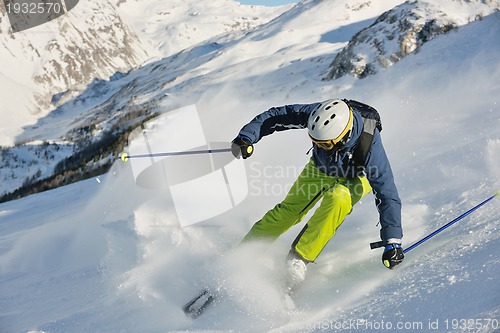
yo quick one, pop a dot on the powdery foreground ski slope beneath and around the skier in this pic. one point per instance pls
(104, 255)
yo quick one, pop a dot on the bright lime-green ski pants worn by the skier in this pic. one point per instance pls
(339, 196)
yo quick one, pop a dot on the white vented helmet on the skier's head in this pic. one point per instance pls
(330, 121)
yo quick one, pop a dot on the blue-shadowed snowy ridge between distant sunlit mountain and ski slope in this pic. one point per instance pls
(96, 121)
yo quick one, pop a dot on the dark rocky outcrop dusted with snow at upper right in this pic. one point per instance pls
(402, 31)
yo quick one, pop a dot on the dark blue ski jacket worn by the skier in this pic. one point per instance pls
(339, 164)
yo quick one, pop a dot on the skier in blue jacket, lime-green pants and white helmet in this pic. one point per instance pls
(348, 161)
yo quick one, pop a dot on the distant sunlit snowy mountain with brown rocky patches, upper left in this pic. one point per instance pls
(95, 40)
